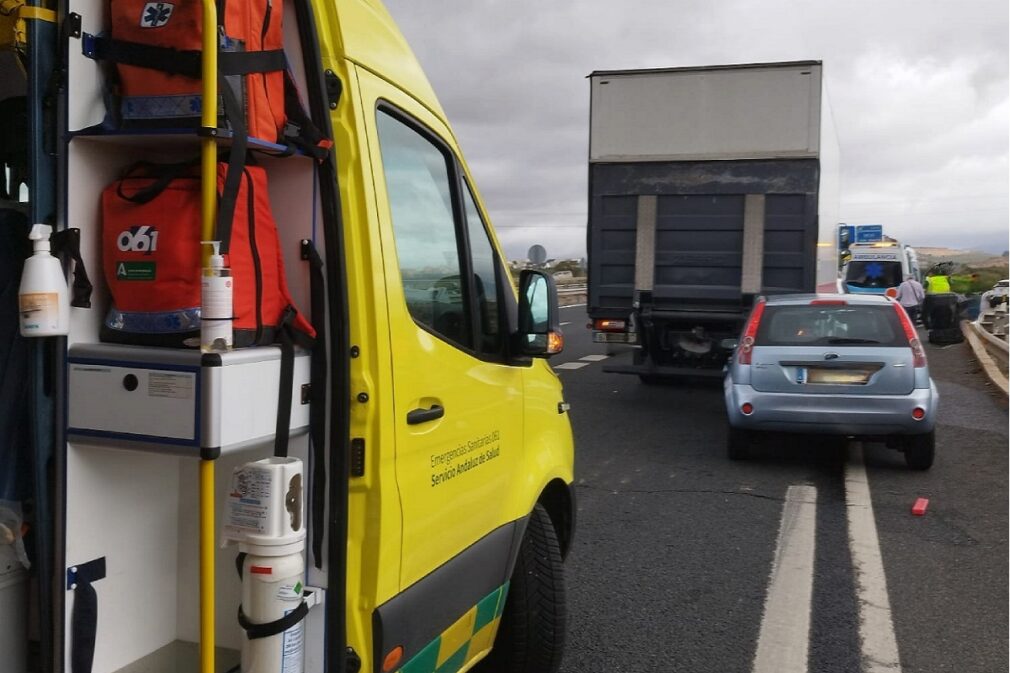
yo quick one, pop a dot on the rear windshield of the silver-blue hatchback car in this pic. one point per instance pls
(829, 325)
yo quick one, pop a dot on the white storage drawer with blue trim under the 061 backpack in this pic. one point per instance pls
(179, 402)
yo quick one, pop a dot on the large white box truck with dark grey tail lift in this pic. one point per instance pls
(708, 187)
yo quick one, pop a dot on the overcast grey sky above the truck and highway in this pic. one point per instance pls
(920, 90)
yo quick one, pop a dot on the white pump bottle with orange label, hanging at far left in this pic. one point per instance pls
(44, 299)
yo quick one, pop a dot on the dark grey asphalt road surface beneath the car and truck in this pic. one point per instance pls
(676, 545)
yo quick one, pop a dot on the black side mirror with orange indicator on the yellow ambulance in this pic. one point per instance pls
(540, 335)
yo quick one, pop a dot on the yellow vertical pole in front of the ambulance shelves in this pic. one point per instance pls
(209, 176)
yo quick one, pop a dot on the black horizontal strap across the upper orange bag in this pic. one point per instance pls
(186, 63)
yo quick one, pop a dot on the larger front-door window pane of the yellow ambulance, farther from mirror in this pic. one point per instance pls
(421, 201)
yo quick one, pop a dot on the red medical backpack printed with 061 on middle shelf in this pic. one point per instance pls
(152, 258)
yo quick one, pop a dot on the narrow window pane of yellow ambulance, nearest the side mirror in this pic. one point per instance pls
(485, 278)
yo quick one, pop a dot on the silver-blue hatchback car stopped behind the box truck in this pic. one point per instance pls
(847, 365)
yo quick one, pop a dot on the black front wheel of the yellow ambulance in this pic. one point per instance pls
(532, 635)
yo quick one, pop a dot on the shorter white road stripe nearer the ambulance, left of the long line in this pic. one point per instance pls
(785, 627)
